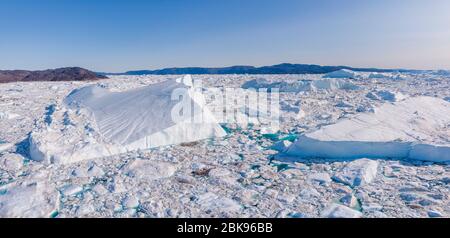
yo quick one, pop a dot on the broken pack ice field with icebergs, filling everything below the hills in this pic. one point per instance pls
(348, 144)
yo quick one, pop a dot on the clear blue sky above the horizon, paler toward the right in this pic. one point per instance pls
(115, 36)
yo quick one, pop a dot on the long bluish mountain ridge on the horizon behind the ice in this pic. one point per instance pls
(274, 69)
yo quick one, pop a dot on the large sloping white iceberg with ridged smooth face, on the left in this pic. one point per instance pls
(138, 119)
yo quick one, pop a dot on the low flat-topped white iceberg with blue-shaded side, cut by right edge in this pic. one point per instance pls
(415, 128)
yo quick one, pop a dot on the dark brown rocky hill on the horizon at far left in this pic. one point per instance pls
(61, 74)
